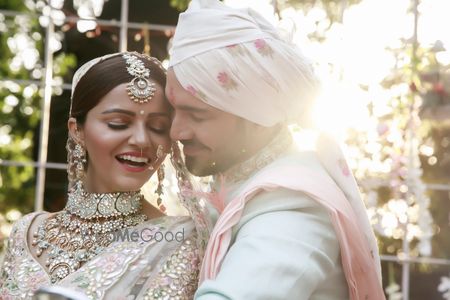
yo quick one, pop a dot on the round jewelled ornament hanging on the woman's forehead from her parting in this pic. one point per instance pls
(140, 89)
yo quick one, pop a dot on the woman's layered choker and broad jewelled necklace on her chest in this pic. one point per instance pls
(84, 228)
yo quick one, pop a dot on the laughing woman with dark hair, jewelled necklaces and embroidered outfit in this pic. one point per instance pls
(108, 242)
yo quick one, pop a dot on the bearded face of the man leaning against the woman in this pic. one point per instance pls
(213, 140)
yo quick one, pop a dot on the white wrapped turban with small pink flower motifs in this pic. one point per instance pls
(236, 61)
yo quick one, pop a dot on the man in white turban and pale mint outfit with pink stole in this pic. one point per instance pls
(291, 224)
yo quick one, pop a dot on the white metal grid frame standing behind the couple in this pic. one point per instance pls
(124, 25)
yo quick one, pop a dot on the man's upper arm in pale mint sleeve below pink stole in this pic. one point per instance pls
(281, 254)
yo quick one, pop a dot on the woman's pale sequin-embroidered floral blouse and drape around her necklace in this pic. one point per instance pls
(160, 262)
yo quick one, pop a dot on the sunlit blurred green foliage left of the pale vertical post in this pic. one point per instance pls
(19, 107)
